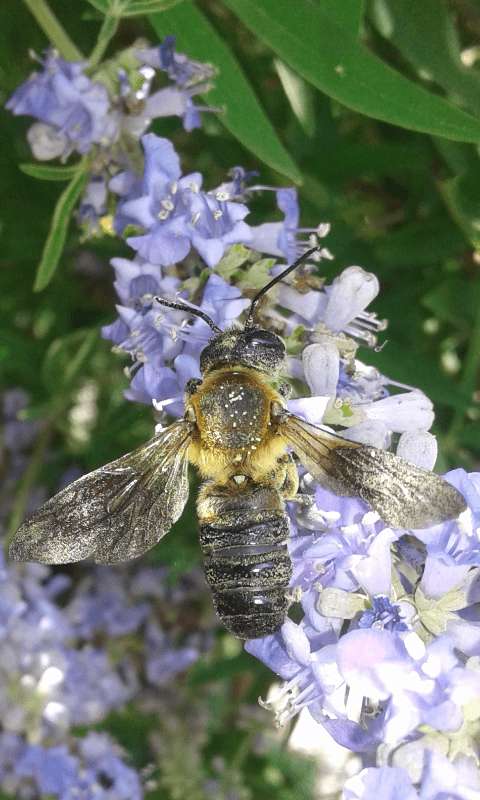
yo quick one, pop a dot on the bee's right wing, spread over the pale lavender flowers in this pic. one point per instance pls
(404, 495)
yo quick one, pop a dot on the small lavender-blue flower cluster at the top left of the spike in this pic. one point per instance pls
(75, 113)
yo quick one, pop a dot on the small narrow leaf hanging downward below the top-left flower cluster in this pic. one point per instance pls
(58, 230)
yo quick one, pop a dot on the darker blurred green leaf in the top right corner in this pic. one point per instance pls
(424, 33)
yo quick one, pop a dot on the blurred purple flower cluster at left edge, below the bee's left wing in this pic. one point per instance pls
(63, 683)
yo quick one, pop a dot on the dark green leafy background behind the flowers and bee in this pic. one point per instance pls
(371, 111)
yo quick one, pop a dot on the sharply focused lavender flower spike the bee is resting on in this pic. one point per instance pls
(374, 599)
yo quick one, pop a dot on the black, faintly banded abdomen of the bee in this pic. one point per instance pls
(248, 568)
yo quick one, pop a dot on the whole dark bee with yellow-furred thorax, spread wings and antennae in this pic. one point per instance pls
(235, 430)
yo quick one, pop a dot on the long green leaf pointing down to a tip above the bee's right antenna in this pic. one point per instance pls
(244, 117)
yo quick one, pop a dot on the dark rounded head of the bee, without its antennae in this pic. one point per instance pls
(254, 348)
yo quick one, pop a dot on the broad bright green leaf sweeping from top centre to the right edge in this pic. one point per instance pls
(333, 60)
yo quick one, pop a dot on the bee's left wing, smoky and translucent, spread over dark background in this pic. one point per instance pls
(116, 512)
